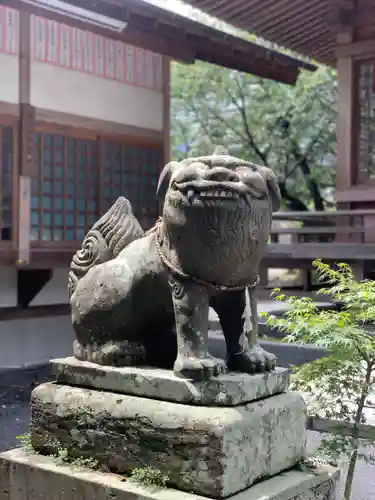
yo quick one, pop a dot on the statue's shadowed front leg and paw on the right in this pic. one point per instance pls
(244, 354)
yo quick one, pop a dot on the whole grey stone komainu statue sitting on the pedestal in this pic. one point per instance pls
(144, 298)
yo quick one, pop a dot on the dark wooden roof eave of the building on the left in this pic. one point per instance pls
(173, 35)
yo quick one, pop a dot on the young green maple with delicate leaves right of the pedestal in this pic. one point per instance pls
(338, 385)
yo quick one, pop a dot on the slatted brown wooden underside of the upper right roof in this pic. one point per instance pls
(309, 28)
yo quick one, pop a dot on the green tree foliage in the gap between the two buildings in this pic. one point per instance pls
(212, 105)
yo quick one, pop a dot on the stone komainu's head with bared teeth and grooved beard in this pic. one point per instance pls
(219, 207)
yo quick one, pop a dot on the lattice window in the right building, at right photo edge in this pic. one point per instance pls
(366, 106)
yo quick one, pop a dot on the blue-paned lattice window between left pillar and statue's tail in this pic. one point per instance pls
(64, 202)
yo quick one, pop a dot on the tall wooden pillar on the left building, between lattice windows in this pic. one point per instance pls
(25, 141)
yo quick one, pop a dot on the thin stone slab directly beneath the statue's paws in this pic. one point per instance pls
(226, 390)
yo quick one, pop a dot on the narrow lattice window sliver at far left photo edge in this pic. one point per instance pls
(6, 182)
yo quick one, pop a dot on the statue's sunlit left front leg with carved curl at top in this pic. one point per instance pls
(190, 302)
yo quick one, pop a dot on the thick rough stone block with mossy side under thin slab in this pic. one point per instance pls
(206, 450)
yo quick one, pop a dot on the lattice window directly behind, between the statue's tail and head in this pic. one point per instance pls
(132, 171)
